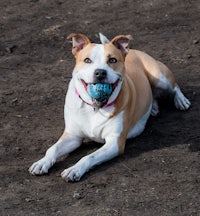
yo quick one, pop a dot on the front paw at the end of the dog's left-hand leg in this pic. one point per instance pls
(41, 167)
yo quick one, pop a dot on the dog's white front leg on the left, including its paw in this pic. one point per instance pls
(66, 144)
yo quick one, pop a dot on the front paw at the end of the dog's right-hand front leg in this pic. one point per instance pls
(72, 174)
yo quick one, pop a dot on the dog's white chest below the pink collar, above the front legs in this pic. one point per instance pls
(82, 120)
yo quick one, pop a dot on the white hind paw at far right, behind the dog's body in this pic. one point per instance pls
(180, 101)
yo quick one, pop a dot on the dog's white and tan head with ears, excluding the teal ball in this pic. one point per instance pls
(100, 64)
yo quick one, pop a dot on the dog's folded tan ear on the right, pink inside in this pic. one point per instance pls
(122, 42)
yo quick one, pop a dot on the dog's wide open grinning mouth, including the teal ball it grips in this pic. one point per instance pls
(100, 92)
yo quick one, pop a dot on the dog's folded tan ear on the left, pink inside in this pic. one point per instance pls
(79, 41)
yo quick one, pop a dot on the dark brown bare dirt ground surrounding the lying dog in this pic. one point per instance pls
(159, 174)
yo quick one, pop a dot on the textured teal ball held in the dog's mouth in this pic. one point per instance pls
(99, 91)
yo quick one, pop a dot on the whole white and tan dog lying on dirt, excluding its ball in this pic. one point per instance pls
(134, 75)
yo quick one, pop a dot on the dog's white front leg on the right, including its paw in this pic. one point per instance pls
(108, 151)
